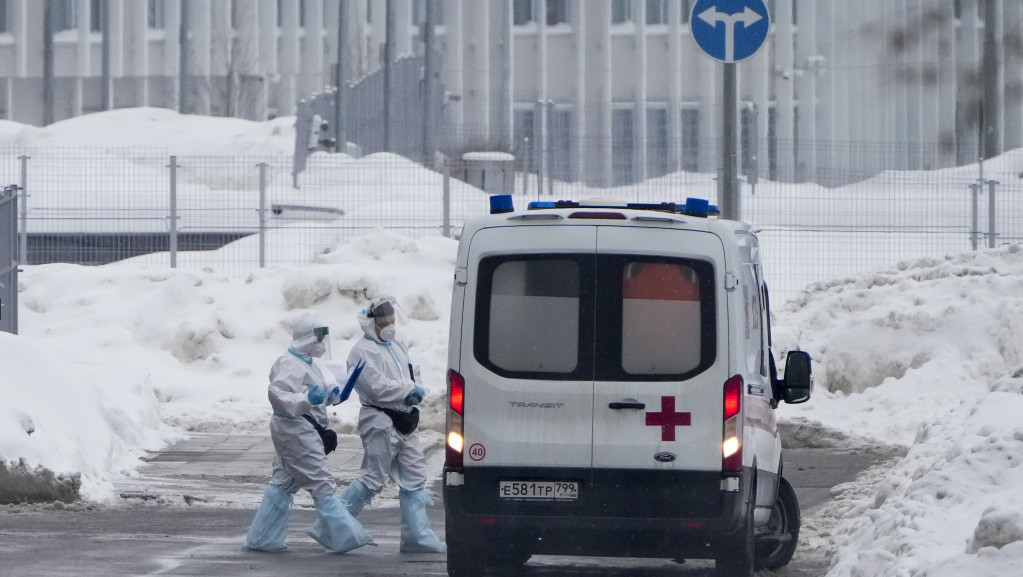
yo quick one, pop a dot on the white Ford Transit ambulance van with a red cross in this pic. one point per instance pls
(612, 390)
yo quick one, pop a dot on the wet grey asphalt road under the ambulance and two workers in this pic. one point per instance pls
(188, 513)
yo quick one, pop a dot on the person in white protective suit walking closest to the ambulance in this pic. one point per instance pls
(389, 393)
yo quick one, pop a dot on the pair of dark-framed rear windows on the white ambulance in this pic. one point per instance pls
(602, 318)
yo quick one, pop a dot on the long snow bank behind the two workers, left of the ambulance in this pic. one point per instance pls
(113, 361)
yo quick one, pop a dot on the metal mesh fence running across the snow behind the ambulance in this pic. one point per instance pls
(96, 206)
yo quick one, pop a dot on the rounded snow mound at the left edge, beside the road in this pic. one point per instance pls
(58, 416)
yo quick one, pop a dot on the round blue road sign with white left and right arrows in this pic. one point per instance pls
(730, 31)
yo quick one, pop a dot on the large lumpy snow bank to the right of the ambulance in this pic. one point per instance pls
(928, 356)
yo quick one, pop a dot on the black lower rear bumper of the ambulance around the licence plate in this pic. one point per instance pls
(618, 514)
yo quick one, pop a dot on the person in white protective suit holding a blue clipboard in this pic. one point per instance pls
(302, 385)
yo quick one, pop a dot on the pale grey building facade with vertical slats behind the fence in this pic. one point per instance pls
(606, 92)
